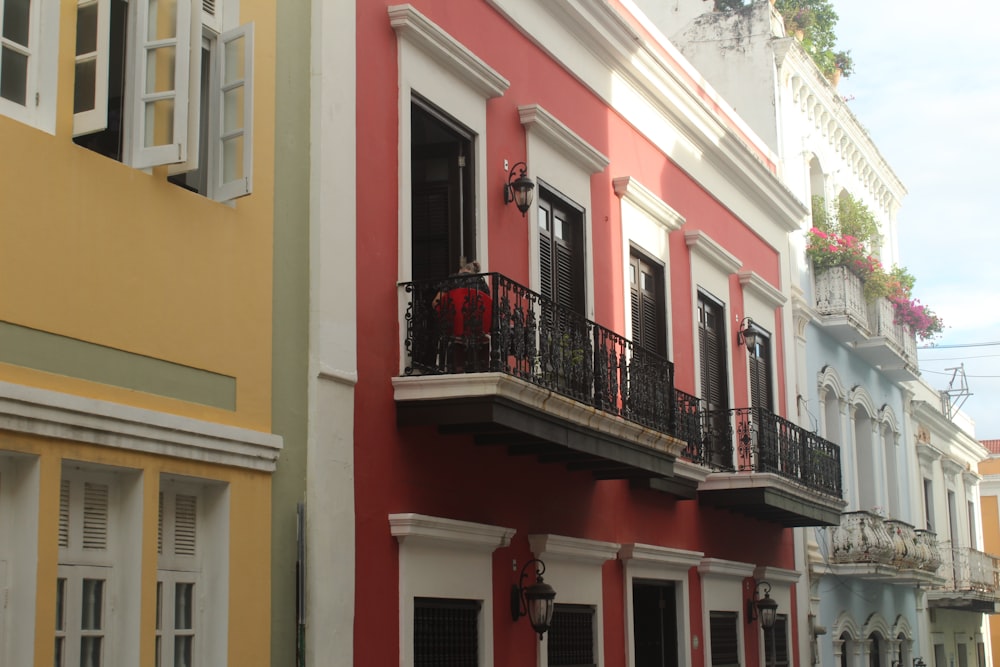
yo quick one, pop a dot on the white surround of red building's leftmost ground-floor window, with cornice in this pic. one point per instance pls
(445, 558)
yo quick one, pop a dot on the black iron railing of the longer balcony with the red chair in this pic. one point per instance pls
(489, 323)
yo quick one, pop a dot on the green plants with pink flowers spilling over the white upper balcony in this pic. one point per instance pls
(848, 239)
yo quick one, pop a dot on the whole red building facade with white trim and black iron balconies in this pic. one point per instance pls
(615, 402)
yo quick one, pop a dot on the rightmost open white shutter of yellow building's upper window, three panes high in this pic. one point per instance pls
(234, 103)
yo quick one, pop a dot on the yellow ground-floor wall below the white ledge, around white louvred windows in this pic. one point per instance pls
(249, 547)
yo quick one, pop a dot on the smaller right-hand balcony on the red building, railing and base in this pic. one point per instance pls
(770, 468)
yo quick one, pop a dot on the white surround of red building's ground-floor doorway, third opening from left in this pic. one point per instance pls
(654, 563)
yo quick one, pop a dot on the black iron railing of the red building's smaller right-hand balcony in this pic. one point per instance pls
(767, 443)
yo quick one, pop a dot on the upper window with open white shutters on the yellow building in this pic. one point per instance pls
(156, 84)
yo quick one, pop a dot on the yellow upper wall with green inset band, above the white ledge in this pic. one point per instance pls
(98, 251)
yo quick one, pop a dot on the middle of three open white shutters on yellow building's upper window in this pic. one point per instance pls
(161, 61)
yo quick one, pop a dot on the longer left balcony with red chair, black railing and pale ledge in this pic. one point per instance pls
(513, 369)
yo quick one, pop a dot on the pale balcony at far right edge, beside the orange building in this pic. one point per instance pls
(971, 581)
